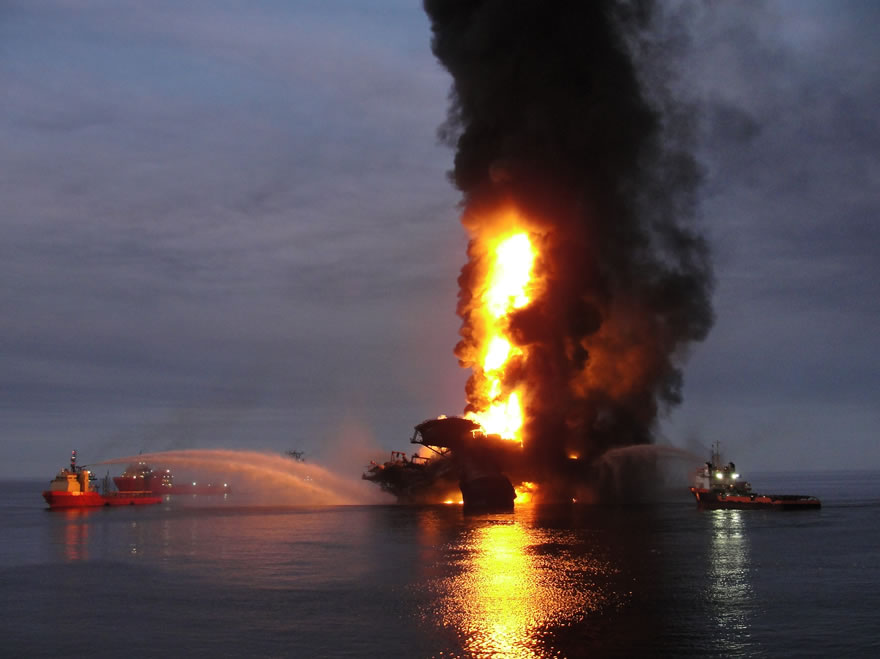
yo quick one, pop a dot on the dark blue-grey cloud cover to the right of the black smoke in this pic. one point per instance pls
(791, 145)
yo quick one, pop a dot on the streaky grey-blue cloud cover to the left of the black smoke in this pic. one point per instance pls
(210, 207)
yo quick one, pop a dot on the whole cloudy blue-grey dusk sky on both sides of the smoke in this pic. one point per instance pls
(229, 225)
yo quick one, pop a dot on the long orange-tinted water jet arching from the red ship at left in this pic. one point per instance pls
(267, 477)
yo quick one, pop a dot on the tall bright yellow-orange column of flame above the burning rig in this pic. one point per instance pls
(508, 285)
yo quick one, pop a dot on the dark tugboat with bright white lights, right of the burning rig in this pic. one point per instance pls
(717, 486)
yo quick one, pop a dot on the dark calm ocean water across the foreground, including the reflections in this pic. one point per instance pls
(213, 577)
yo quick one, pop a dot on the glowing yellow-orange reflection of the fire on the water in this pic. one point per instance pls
(514, 582)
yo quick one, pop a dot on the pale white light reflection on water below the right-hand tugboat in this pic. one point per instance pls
(730, 586)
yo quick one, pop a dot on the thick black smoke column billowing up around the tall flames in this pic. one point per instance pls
(550, 114)
